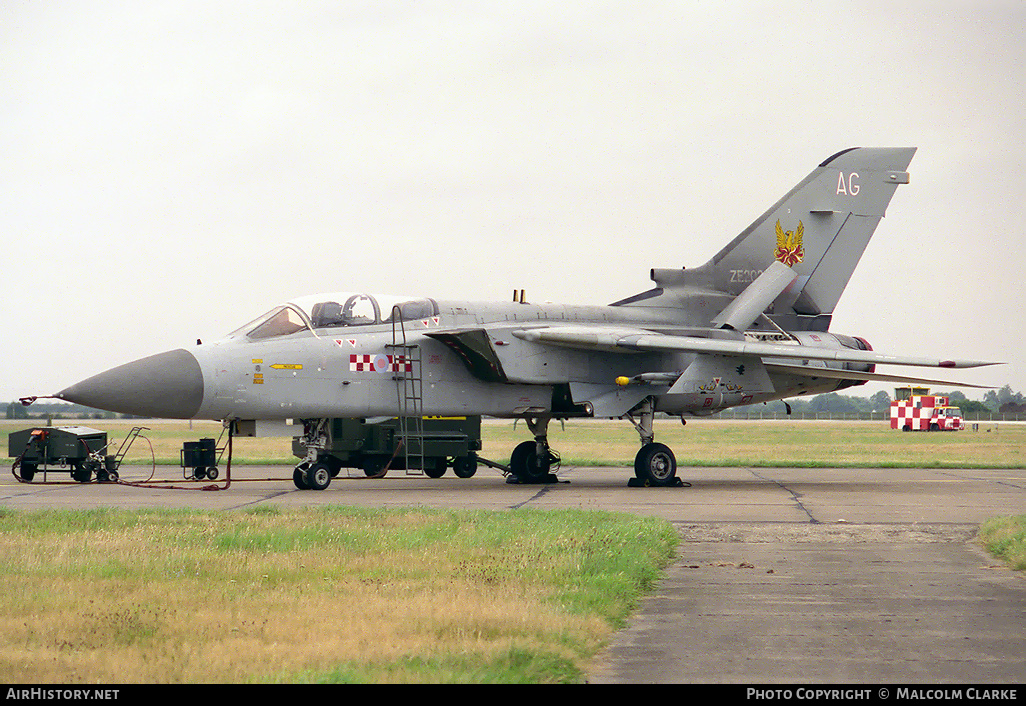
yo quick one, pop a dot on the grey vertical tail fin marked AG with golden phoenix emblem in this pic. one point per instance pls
(820, 229)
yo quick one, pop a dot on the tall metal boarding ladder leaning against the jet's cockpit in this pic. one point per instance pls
(409, 377)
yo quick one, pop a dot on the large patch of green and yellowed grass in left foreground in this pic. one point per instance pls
(319, 595)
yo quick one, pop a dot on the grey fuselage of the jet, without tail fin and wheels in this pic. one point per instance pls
(470, 359)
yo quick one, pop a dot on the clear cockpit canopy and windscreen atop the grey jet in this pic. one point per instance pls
(335, 311)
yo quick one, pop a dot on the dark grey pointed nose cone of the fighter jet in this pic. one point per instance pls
(168, 385)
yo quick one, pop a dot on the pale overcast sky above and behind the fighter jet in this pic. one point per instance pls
(169, 171)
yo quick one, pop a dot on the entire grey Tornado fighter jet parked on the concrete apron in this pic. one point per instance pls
(748, 327)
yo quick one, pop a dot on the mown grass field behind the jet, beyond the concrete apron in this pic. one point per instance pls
(701, 443)
